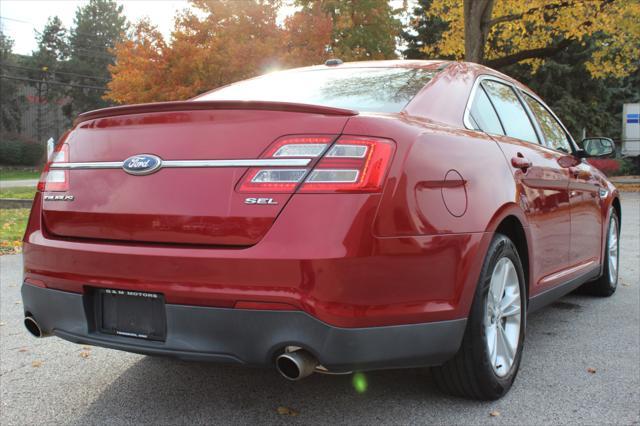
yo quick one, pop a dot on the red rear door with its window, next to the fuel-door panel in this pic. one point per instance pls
(542, 181)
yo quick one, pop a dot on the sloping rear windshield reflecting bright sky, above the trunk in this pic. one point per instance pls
(360, 89)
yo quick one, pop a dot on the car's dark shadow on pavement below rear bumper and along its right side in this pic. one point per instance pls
(167, 391)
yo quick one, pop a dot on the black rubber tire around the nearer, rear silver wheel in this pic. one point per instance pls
(470, 373)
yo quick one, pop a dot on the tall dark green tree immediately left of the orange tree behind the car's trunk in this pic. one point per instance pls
(98, 27)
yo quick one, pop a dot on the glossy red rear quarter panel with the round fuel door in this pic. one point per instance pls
(443, 180)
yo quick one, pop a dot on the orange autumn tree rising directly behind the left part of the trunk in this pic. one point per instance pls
(213, 44)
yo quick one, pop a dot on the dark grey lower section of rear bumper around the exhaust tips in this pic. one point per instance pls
(253, 337)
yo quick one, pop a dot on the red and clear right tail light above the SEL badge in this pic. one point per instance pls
(352, 164)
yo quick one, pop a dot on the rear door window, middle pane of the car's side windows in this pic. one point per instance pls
(512, 114)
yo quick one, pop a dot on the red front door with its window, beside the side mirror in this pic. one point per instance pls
(584, 189)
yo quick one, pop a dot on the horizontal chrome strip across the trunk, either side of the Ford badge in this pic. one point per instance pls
(299, 162)
